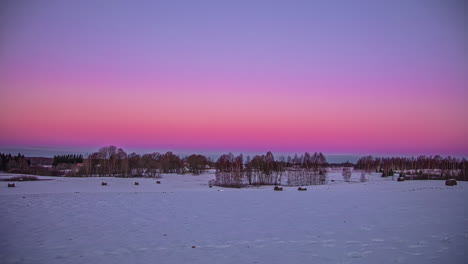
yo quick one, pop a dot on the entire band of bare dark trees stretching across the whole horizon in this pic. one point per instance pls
(231, 170)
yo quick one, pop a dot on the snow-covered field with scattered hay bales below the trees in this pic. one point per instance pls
(76, 220)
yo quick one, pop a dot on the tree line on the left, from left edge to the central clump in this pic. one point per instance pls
(109, 161)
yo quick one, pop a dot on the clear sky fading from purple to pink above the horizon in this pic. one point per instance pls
(341, 77)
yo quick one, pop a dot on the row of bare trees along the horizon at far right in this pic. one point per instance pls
(444, 167)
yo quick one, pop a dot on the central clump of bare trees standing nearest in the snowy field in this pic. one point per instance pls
(232, 171)
